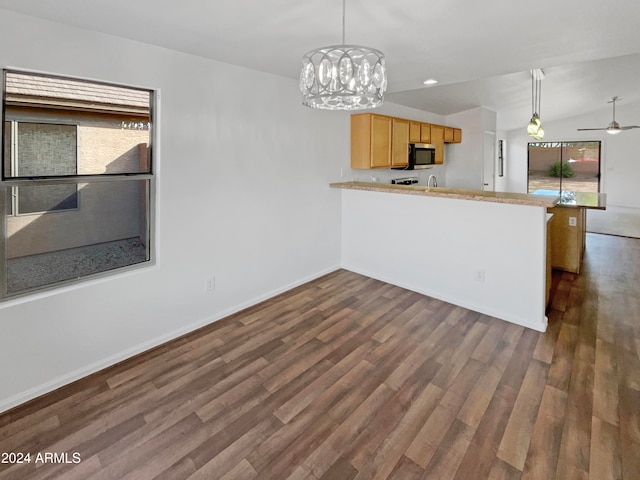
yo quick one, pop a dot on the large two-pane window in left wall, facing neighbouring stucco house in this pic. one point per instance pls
(77, 190)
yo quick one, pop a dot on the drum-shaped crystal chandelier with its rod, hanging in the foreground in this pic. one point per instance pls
(343, 77)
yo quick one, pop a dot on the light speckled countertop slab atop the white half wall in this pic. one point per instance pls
(477, 195)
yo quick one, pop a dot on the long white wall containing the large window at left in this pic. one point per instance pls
(242, 194)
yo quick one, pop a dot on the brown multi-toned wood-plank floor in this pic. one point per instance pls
(350, 378)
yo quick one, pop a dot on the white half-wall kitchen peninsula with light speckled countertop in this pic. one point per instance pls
(485, 251)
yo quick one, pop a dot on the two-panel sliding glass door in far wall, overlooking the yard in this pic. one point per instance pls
(564, 166)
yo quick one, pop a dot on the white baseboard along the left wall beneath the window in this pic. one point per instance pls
(55, 383)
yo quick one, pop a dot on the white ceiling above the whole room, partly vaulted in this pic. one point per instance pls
(481, 52)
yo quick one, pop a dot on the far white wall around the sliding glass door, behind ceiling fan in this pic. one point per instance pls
(620, 162)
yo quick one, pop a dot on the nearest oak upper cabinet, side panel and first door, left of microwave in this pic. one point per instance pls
(371, 140)
